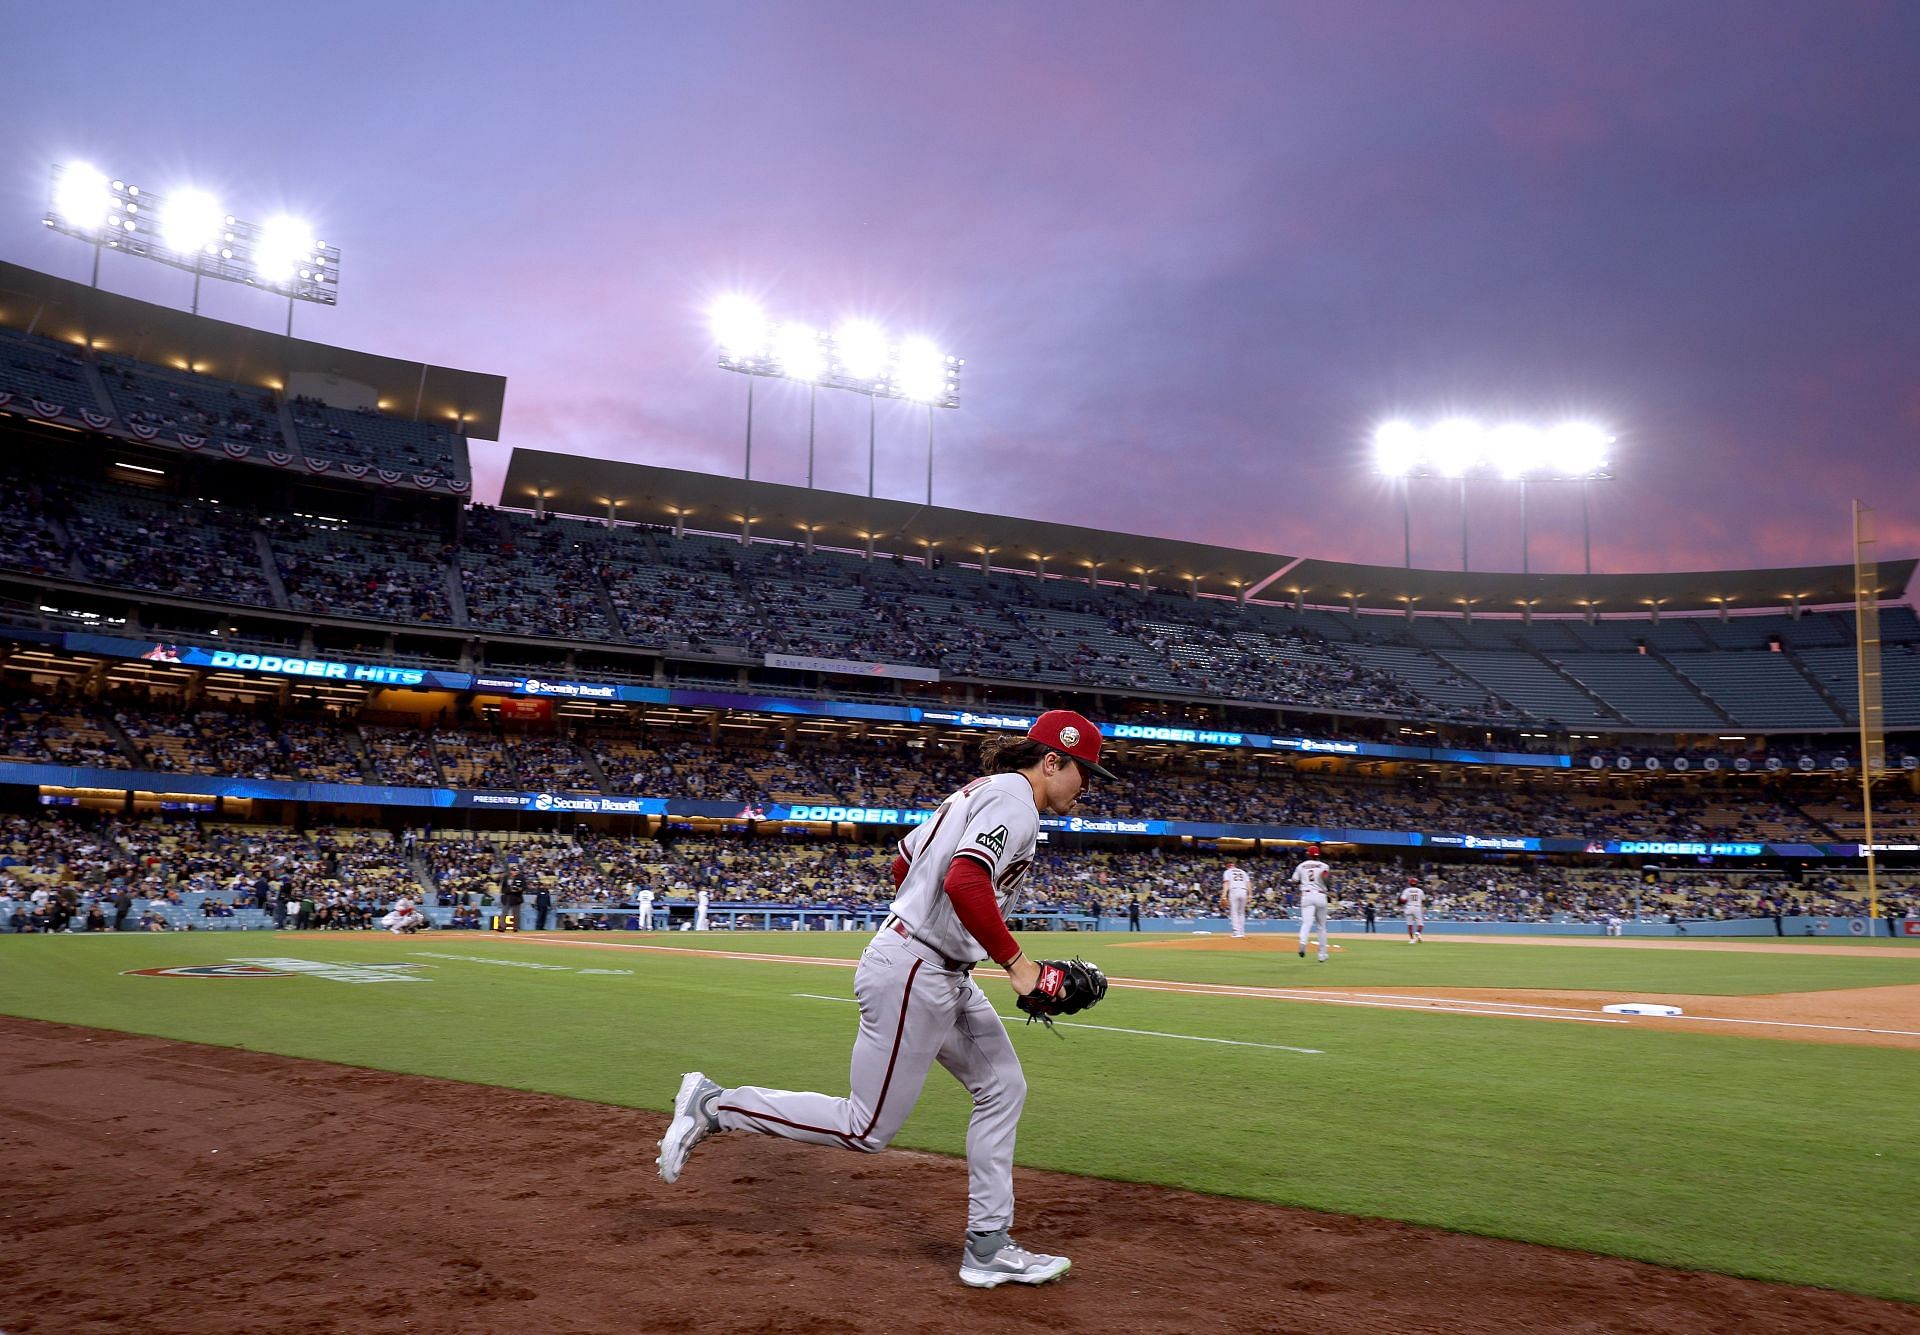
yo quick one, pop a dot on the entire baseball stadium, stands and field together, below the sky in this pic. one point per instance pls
(640, 746)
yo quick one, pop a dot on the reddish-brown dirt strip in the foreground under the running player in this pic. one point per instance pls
(155, 1186)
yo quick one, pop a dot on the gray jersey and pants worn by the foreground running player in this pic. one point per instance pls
(921, 1006)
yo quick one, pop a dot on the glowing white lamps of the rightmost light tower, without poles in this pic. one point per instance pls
(1462, 449)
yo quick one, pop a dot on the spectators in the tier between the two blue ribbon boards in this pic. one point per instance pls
(759, 769)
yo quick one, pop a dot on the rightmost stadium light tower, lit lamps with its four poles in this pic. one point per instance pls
(1514, 452)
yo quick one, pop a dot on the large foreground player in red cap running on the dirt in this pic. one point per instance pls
(957, 879)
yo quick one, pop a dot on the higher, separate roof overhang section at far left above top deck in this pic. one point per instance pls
(128, 328)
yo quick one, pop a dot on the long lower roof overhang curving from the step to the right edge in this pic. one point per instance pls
(642, 493)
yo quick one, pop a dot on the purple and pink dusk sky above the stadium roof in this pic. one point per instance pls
(1191, 253)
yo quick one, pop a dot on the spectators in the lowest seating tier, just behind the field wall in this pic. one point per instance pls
(99, 873)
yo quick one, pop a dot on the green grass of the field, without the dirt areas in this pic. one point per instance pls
(1760, 1157)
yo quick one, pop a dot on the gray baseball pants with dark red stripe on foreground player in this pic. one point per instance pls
(915, 1011)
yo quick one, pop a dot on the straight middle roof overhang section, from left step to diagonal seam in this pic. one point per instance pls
(715, 504)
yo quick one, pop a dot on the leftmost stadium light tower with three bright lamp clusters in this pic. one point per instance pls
(189, 230)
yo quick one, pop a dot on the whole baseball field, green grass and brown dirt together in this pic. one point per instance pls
(1222, 1144)
